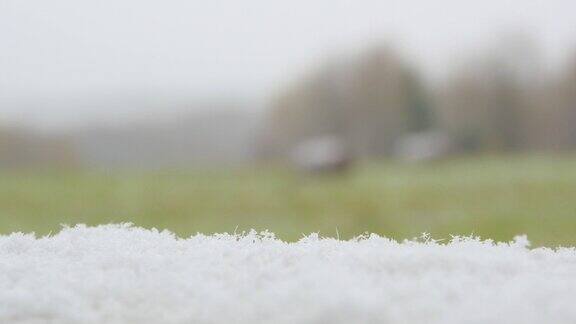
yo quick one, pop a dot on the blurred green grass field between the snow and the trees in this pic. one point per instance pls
(490, 197)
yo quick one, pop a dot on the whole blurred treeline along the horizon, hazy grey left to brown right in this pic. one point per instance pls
(502, 99)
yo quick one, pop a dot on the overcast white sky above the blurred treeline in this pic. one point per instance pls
(63, 48)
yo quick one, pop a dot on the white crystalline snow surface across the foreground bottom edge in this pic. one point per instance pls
(124, 274)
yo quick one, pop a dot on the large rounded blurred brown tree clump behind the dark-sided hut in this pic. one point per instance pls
(368, 103)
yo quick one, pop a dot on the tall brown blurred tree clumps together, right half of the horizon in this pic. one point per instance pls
(499, 100)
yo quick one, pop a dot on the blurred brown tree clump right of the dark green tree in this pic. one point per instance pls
(487, 103)
